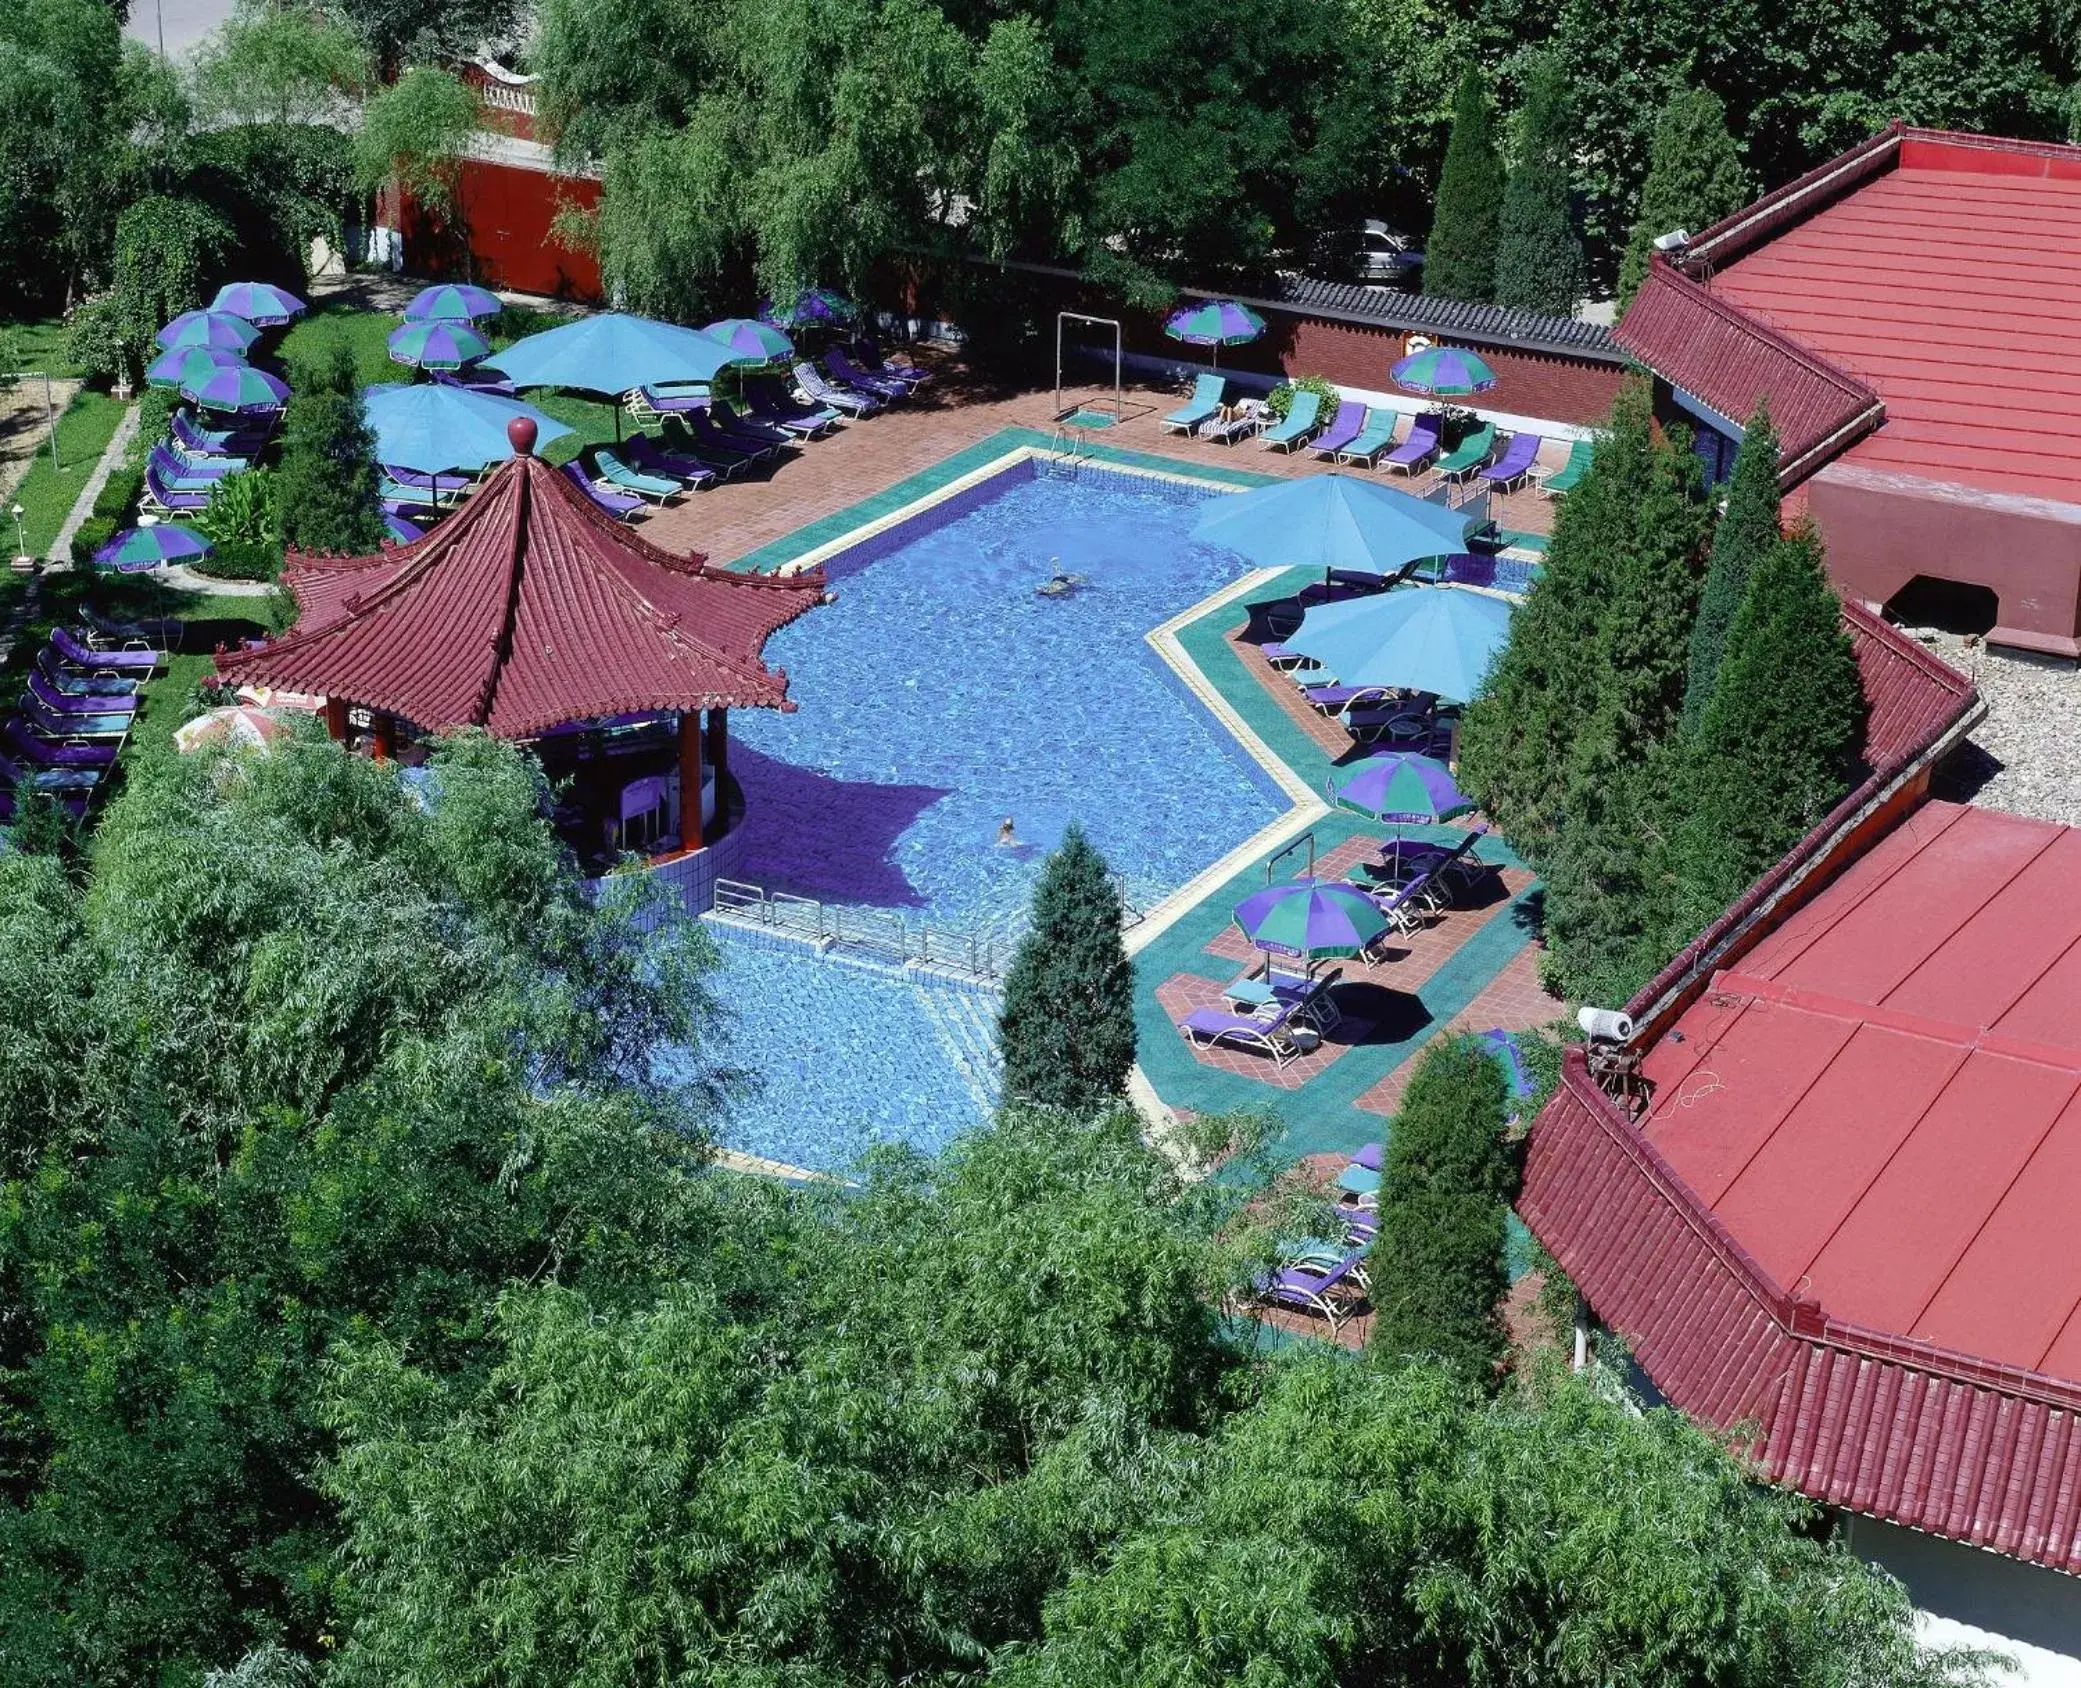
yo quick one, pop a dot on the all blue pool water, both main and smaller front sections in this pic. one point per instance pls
(940, 696)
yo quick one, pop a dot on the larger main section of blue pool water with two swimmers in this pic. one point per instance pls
(944, 694)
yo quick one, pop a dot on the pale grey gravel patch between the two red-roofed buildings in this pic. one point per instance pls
(2026, 757)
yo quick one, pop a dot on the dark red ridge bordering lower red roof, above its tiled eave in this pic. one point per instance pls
(1799, 1319)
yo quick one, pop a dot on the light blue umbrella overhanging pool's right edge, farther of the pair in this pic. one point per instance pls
(1331, 521)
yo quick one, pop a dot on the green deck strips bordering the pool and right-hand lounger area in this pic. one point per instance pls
(1320, 1115)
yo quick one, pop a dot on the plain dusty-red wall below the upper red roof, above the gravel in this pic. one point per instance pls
(1884, 530)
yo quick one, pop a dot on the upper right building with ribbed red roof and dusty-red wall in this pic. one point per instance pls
(1911, 313)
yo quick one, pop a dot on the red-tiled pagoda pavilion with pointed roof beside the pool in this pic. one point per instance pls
(538, 619)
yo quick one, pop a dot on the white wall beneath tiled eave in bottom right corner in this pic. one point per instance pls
(1988, 1600)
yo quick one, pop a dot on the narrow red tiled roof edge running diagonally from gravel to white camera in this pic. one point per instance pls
(1728, 938)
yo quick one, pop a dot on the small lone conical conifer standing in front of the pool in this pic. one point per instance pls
(1069, 1017)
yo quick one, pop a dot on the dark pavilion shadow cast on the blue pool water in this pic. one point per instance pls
(823, 838)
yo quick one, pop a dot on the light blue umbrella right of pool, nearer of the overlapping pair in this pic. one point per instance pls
(1437, 640)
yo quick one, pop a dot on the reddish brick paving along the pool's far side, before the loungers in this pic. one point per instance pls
(958, 411)
